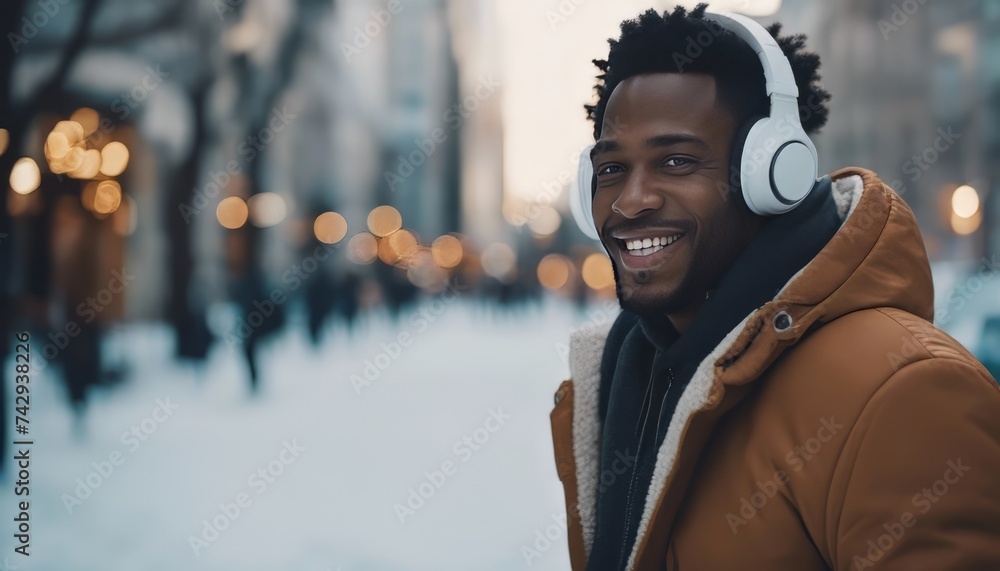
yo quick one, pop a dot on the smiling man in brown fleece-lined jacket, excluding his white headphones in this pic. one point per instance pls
(773, 394)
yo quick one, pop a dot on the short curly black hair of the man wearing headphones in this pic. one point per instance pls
(682, 41)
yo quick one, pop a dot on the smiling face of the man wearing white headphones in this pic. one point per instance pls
(663, 205)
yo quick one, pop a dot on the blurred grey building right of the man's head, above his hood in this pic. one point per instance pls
(915, 97)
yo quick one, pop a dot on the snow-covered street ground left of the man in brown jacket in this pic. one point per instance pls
(311, 475)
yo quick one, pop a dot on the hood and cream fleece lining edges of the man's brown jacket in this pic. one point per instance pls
(875, 259)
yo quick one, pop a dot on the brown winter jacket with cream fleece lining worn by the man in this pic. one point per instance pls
(858, 437)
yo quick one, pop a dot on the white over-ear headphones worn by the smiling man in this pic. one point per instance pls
(778, 164)
